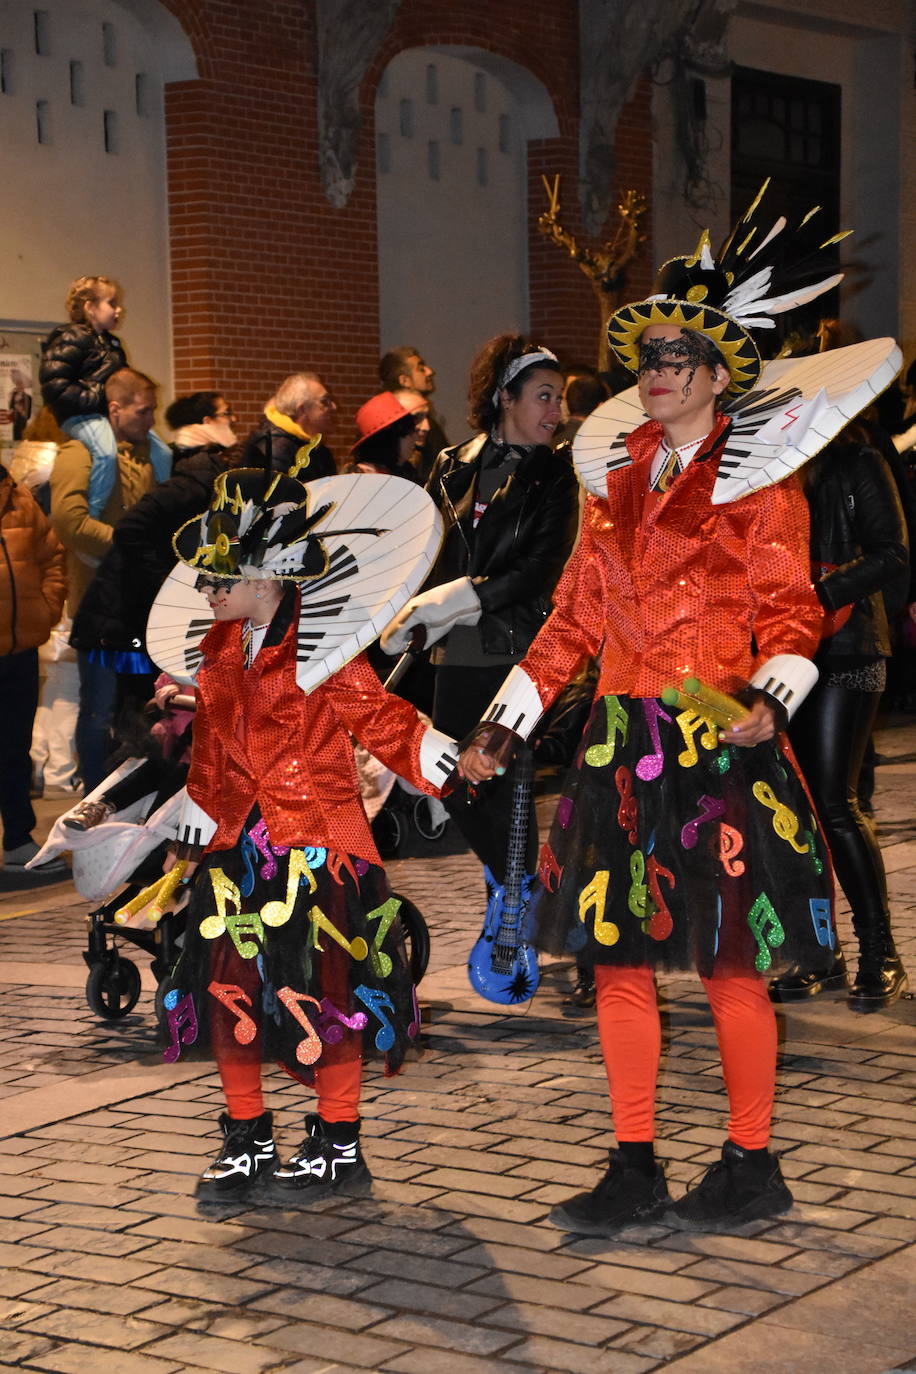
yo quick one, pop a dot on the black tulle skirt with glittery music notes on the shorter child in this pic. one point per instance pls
(290, 957)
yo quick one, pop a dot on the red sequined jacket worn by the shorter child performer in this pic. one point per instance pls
(257, 737)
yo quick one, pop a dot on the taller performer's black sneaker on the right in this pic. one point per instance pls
(733, 1192)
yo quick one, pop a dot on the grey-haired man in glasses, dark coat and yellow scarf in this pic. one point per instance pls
(300, 410)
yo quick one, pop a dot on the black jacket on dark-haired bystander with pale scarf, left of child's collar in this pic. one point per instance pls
(116, 605)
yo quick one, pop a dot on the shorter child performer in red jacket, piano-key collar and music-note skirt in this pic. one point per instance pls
(293, 949)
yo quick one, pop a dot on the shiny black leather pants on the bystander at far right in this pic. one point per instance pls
(829, 736)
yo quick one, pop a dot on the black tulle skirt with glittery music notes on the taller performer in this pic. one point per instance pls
(679, 853)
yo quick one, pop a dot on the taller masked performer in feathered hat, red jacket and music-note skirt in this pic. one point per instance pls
(682, 842)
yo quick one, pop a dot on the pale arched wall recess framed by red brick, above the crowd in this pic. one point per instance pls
(453, 192)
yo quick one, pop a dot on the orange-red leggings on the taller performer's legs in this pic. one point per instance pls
(631, 1035)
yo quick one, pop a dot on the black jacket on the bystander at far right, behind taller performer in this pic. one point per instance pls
(859, 545)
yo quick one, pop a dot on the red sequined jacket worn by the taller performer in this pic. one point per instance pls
(674, 586)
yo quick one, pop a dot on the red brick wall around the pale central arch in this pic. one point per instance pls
(267, 277)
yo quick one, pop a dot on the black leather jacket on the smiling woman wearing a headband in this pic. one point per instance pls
(520, 548)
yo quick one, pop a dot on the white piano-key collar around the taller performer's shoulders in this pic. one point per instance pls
(799, 406)
